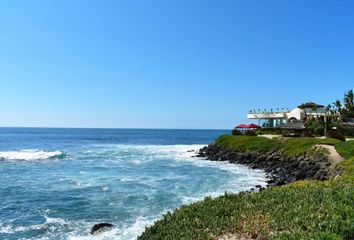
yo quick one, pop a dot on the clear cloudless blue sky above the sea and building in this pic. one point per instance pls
(169, 64)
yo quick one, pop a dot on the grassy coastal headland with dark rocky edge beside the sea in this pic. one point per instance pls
(310, 194)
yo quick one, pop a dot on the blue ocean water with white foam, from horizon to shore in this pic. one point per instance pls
(57, 183)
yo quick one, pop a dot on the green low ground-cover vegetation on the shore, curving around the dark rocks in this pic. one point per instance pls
(301, 210)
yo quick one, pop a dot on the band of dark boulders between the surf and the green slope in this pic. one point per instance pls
(279, 169)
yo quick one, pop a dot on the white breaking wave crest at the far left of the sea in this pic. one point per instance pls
(30, 154)
